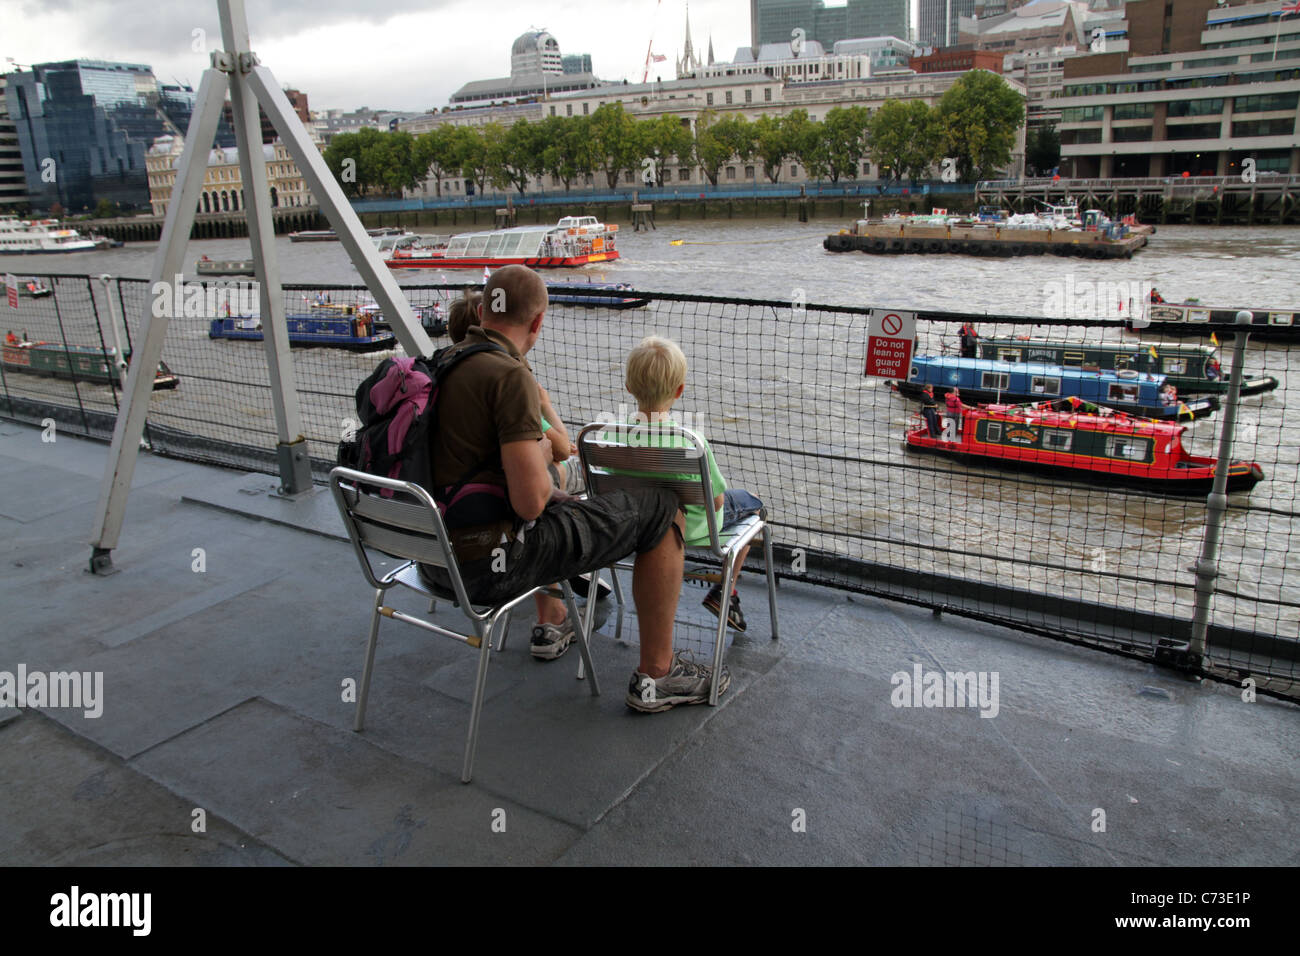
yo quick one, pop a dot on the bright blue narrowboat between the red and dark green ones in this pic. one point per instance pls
(989, 380)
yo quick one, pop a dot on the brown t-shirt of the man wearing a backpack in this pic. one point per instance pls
(489, 400)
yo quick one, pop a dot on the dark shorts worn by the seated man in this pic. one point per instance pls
(567, 540)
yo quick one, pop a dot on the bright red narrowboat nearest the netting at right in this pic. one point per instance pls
(1108, 448)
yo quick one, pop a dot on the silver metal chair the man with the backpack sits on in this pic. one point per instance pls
(410, 527)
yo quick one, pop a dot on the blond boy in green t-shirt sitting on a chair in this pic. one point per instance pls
(657, 378)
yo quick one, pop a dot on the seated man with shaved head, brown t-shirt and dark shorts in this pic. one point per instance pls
(513, 531)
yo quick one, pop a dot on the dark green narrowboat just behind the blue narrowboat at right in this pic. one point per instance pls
(1190, 369)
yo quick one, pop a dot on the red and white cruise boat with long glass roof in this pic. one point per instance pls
(574, 241)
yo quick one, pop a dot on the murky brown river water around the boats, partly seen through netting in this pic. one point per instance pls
(783, 397)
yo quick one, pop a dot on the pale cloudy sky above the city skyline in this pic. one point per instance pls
(349, 54)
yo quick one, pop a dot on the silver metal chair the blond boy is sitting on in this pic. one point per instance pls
(618, 456)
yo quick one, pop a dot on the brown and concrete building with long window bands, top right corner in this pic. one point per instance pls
(1202, 88)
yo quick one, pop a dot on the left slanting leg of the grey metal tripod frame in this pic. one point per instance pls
(168, 263)
